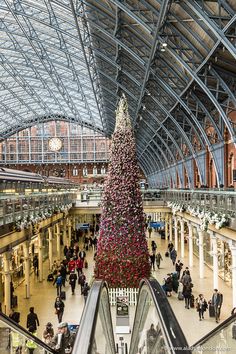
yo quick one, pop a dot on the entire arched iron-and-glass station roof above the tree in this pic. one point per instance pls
(175, 60)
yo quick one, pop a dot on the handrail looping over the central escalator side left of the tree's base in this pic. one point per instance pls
(84, 338)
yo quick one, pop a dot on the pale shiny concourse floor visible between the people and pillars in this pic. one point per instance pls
(43, 295)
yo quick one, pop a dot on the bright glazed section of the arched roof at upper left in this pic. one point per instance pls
(44, 67)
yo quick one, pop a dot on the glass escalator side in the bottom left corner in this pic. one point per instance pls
(16, 339)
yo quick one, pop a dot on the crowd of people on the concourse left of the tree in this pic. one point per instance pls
(69, 271)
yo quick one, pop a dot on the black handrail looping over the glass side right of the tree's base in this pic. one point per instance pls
(174, 334)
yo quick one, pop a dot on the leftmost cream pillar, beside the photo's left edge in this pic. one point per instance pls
(7, 282)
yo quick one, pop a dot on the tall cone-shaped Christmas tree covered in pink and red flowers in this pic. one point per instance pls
(122, 255)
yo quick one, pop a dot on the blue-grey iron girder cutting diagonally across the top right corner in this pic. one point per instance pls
(211, 25)
